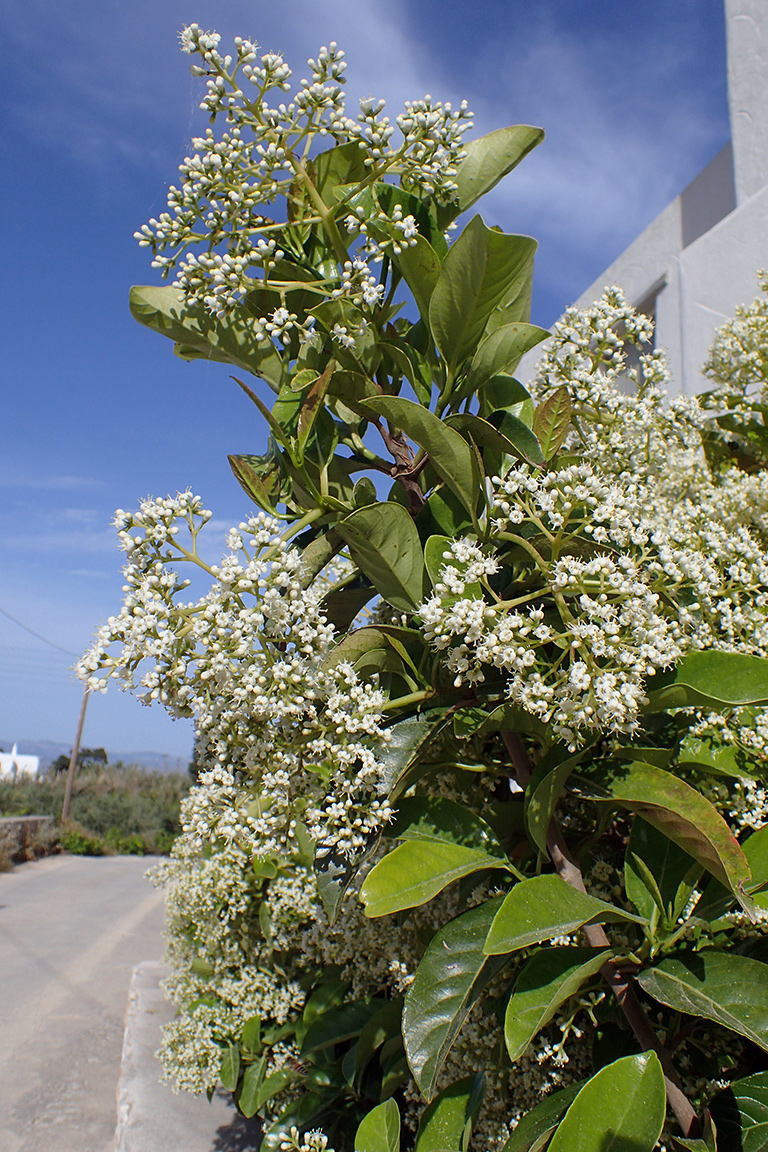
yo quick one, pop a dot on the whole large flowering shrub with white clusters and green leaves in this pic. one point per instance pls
(478, 852)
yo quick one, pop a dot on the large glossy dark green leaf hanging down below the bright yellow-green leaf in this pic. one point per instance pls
(452, 975)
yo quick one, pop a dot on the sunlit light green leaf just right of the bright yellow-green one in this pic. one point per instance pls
(542, 908)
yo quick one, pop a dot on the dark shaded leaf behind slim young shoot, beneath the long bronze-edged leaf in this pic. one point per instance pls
(659, 875)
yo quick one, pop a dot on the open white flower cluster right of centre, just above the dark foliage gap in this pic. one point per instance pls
(602, 615)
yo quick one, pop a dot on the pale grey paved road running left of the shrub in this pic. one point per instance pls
(72, 929)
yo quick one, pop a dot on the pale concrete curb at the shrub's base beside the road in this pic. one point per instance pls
(150, 1117)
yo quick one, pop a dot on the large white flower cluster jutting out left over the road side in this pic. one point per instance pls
(287, 736)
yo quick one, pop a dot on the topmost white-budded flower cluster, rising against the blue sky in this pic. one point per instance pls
(267, 154)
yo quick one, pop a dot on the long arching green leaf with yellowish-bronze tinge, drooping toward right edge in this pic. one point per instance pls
(683, 815)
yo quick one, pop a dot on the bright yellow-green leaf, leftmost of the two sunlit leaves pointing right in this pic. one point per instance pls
(419, 870)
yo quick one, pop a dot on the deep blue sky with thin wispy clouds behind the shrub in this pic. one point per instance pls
(100, 109)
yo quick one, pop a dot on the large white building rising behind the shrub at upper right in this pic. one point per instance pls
(698, 260)
